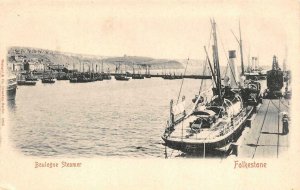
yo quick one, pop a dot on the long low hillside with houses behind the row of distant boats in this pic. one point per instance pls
(17, 54)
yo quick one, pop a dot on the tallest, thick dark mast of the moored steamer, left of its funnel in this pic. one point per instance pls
(216, 61)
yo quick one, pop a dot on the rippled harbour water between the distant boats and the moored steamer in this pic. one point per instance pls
(104, 118)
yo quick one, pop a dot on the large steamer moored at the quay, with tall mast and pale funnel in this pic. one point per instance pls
(215, 123)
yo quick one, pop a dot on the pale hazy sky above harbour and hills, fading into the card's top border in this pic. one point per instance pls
(173, 29)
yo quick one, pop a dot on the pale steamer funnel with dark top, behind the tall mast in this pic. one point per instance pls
(232, 70)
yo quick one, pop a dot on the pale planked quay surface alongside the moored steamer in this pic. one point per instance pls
(264, 137)
